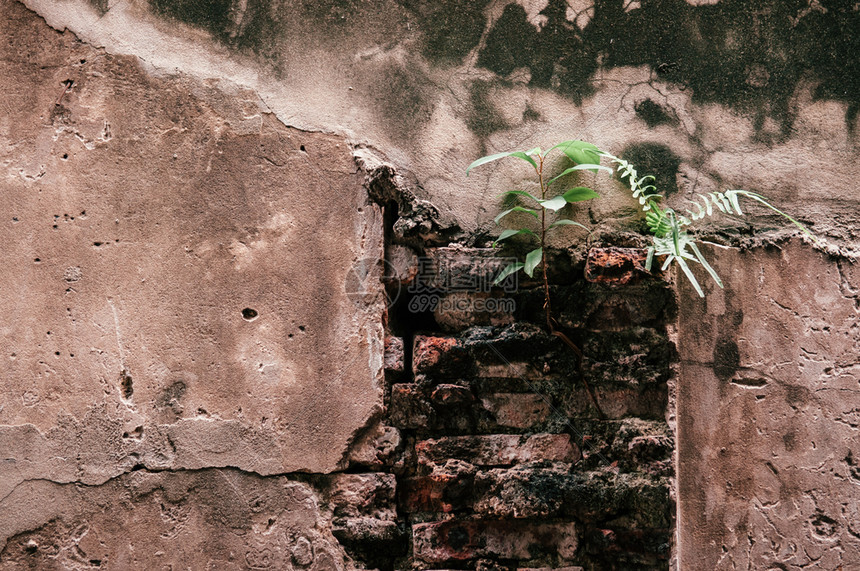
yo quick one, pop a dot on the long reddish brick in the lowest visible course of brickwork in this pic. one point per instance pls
(462, 540)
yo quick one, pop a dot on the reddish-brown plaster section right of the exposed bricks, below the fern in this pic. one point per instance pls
(768, 414)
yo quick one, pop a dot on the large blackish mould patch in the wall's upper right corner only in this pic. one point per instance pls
(746, 54)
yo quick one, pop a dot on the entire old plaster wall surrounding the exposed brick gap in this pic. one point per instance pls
(192, 253)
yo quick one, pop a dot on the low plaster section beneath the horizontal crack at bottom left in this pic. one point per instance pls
(207, 519)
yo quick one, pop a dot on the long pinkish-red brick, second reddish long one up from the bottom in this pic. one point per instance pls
(499, 449)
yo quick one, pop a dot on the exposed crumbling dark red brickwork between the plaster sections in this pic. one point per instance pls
(492, 451)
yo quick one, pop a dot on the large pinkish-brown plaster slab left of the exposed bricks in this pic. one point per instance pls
(177, 279)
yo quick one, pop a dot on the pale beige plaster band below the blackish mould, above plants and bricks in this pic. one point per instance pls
(359, 70)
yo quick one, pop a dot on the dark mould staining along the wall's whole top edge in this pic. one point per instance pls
(748, 54)
